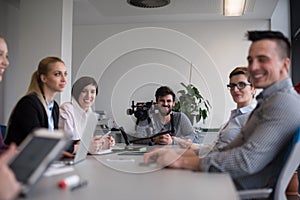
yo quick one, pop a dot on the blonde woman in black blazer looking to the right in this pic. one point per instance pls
(38, 109)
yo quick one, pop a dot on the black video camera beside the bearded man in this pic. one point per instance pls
(140, 110)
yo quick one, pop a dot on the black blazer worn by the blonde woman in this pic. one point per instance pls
(28, 114)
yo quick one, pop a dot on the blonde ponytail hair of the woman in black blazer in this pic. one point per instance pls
(36, 84)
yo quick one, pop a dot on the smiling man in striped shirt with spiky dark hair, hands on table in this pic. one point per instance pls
(254, 158)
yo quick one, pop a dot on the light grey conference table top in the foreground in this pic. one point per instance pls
(116, 176)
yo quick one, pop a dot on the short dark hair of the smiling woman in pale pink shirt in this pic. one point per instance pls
(80, 84)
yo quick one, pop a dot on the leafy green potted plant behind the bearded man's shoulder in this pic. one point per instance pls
(192, 103)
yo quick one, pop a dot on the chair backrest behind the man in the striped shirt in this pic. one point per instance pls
(290, 165)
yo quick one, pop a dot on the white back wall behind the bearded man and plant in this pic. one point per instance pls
(130, 61)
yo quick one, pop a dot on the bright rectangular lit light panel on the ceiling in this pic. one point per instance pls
(233, 7)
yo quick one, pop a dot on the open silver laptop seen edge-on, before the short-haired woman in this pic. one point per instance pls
(85, 140)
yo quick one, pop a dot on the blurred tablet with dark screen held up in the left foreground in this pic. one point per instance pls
(36, 153)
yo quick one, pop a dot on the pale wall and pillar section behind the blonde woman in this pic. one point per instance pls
(34, 29)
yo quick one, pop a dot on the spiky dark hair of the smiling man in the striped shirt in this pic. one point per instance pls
(283, 42)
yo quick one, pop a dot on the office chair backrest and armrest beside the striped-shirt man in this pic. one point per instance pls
(290, 165)
